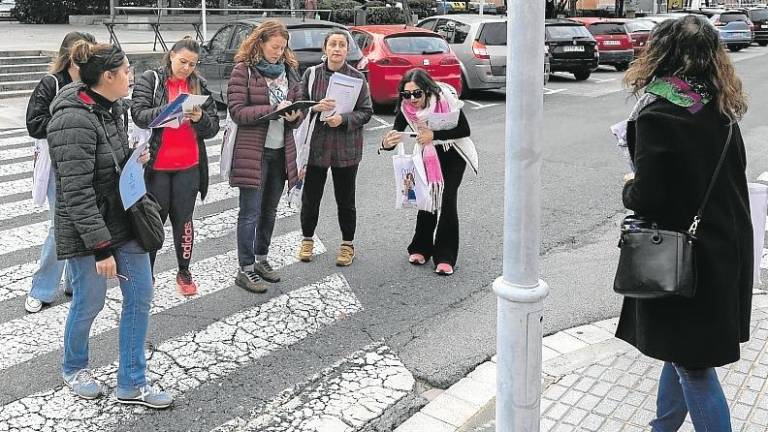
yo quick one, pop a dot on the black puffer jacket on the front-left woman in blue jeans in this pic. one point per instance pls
(89, 214)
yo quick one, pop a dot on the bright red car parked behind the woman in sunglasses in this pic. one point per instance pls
(389, 51)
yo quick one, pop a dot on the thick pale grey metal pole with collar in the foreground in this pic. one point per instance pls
(520, 291)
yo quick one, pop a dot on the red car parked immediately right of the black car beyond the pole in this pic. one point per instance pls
(613, 41)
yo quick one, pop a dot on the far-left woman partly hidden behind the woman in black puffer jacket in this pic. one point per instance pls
(45, 282)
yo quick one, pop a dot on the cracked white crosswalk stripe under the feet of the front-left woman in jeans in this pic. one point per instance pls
(184, 363)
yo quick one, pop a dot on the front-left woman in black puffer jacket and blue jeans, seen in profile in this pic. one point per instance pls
(87, 139)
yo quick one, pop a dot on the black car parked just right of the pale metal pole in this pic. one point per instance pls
(572, 48)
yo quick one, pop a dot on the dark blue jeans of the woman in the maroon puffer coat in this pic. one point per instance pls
(258, 209)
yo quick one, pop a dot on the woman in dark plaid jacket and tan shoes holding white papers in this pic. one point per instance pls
(335, 142)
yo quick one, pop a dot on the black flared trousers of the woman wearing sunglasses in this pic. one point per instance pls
(443, 244)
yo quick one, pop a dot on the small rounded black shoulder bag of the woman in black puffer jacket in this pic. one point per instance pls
(144, 217)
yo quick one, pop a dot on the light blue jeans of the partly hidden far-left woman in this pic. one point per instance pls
(45, 282)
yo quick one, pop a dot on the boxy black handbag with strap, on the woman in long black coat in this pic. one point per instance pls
(658, 263)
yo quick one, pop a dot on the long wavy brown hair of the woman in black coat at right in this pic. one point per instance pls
(690, 47)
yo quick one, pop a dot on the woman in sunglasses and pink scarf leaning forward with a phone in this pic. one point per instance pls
(446, 153)
